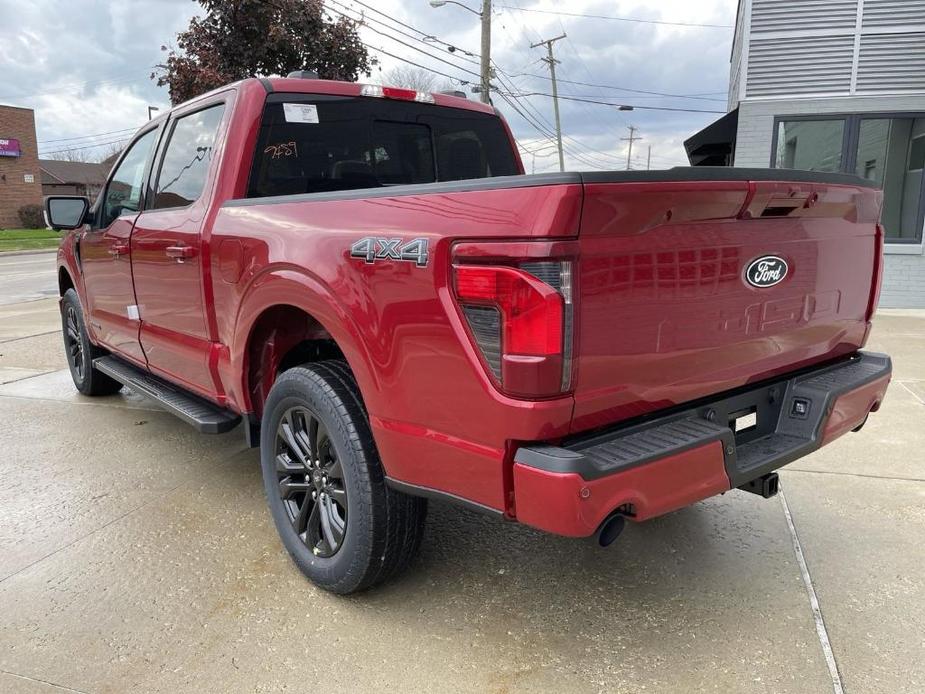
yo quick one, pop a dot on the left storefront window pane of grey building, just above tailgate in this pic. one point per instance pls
(811, 145)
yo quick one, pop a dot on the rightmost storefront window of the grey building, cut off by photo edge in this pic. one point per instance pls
(891, 151)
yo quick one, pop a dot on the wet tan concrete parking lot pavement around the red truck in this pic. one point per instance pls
(138, 555)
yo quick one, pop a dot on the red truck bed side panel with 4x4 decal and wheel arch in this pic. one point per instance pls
(397, 324)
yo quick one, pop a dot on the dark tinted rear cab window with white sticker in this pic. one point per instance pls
(320, 143)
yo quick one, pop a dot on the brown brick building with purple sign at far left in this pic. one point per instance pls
(20, 177)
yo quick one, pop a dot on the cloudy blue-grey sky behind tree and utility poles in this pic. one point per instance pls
(84, 66)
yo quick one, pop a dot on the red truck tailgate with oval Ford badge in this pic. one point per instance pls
(666, 312)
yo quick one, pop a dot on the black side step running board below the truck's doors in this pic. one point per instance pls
(203, 415)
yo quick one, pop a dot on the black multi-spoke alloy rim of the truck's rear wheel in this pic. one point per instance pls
(311, 482)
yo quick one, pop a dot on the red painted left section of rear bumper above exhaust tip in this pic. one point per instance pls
(568, 505)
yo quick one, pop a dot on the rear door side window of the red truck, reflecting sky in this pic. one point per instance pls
(187, 158)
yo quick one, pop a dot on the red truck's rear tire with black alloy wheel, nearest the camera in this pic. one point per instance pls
(356, 532)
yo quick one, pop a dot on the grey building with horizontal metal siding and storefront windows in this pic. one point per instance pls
(834, 85)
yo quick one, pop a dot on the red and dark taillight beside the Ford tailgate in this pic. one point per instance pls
(520, 318)
